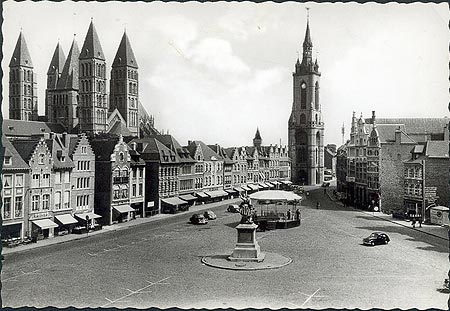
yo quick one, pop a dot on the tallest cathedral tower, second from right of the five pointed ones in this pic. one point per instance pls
(93, 102)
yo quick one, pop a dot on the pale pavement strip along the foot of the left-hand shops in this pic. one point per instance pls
(105, 230)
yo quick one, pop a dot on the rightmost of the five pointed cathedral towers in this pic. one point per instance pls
(124, 85)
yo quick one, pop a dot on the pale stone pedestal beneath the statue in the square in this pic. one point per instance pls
(247, 248)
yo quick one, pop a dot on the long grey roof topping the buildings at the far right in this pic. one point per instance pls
(416, 125)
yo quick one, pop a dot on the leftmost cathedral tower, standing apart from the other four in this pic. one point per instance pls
(22, 84)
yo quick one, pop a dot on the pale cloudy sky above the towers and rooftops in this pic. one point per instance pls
(217, 71)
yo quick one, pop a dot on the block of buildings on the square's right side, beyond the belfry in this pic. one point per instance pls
(398, 165)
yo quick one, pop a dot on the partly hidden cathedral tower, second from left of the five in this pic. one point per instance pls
(53, 75)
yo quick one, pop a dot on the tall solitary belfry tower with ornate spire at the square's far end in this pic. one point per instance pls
(305, 126)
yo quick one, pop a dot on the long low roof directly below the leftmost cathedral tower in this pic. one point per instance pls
(20, 128)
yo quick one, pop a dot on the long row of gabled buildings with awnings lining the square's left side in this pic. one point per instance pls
(59, 183)
